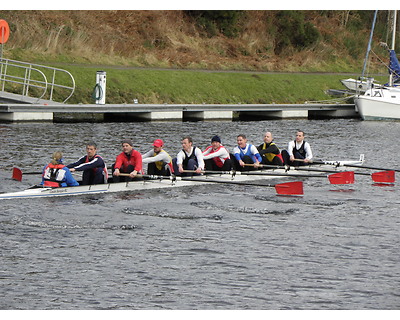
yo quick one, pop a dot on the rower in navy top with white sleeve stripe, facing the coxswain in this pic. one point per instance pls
(93, 166)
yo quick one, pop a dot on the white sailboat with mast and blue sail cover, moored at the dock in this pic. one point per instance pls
(383, 102)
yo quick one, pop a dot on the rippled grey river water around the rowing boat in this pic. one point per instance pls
(204, 247)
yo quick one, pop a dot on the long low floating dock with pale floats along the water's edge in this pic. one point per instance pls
(56, 112)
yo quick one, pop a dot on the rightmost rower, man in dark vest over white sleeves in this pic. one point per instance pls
(297, 149)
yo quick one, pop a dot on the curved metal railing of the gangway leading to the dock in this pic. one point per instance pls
(32, 80)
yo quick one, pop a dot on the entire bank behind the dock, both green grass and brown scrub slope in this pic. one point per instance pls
(256, 40)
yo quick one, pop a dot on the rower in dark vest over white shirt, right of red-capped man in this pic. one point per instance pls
(189, 158)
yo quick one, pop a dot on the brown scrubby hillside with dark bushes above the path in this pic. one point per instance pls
(247, 40)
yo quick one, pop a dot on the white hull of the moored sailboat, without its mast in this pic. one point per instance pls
(379, 104)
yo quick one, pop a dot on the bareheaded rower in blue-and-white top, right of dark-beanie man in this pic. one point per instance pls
(245, 154)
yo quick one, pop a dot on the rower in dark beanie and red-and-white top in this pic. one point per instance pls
(216, 157)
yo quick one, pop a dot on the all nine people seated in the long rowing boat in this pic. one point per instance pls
(189, 161)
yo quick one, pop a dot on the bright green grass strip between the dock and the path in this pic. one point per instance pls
(186, 86)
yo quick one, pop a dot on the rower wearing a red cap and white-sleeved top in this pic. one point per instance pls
(159, 162)
